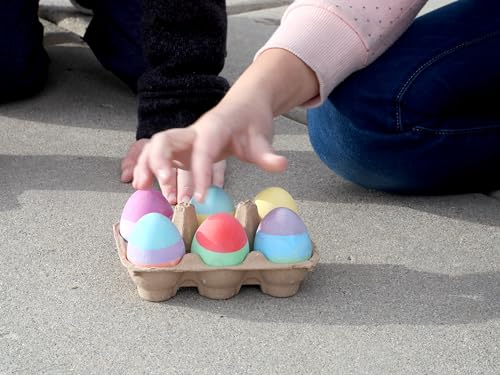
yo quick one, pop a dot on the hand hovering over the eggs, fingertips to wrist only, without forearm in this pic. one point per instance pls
(235, 127)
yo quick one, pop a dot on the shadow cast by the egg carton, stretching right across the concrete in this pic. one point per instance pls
(345, 294)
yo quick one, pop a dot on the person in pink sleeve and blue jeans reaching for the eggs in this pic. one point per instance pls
(395, 104)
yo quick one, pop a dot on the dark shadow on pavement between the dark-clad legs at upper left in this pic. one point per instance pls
(79, 93)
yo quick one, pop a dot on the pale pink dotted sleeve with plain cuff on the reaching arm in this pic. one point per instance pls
(337, 37)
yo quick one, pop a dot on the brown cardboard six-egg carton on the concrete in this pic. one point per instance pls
(161, 284)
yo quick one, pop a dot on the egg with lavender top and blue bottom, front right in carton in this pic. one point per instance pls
(283, 238)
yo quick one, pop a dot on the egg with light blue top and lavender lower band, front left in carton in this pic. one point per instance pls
(155, 242)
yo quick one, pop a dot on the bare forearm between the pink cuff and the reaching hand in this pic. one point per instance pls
(278, 80)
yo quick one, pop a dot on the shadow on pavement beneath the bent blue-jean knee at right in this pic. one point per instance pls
(308, 179)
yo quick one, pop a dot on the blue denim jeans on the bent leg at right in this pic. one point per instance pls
(424, 118)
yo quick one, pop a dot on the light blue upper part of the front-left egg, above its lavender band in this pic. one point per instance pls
(154, 231)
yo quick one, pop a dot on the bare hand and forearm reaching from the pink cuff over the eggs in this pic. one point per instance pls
(240, 125)
